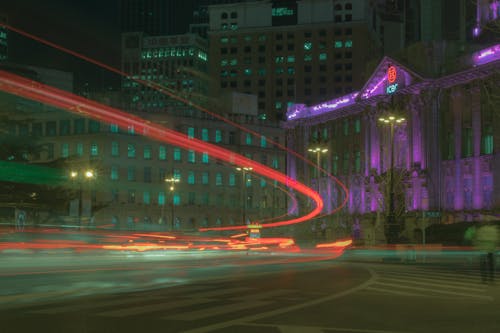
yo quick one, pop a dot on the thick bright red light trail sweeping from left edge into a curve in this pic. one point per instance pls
(36, 91)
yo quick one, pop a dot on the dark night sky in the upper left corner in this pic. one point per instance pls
(90, 27)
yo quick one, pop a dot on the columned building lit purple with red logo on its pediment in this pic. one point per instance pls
(446, 160)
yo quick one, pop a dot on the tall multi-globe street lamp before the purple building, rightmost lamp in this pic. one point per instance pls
(392, 227)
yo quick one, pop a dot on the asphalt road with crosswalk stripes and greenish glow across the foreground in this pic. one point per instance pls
(220, 292)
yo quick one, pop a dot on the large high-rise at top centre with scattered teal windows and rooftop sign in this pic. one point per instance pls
(288, 51)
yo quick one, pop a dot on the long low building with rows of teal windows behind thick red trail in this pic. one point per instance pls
(129, 170)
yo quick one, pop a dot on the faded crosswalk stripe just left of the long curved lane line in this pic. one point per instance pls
(217, 310)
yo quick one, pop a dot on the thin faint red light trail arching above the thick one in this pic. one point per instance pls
(174, 95)
